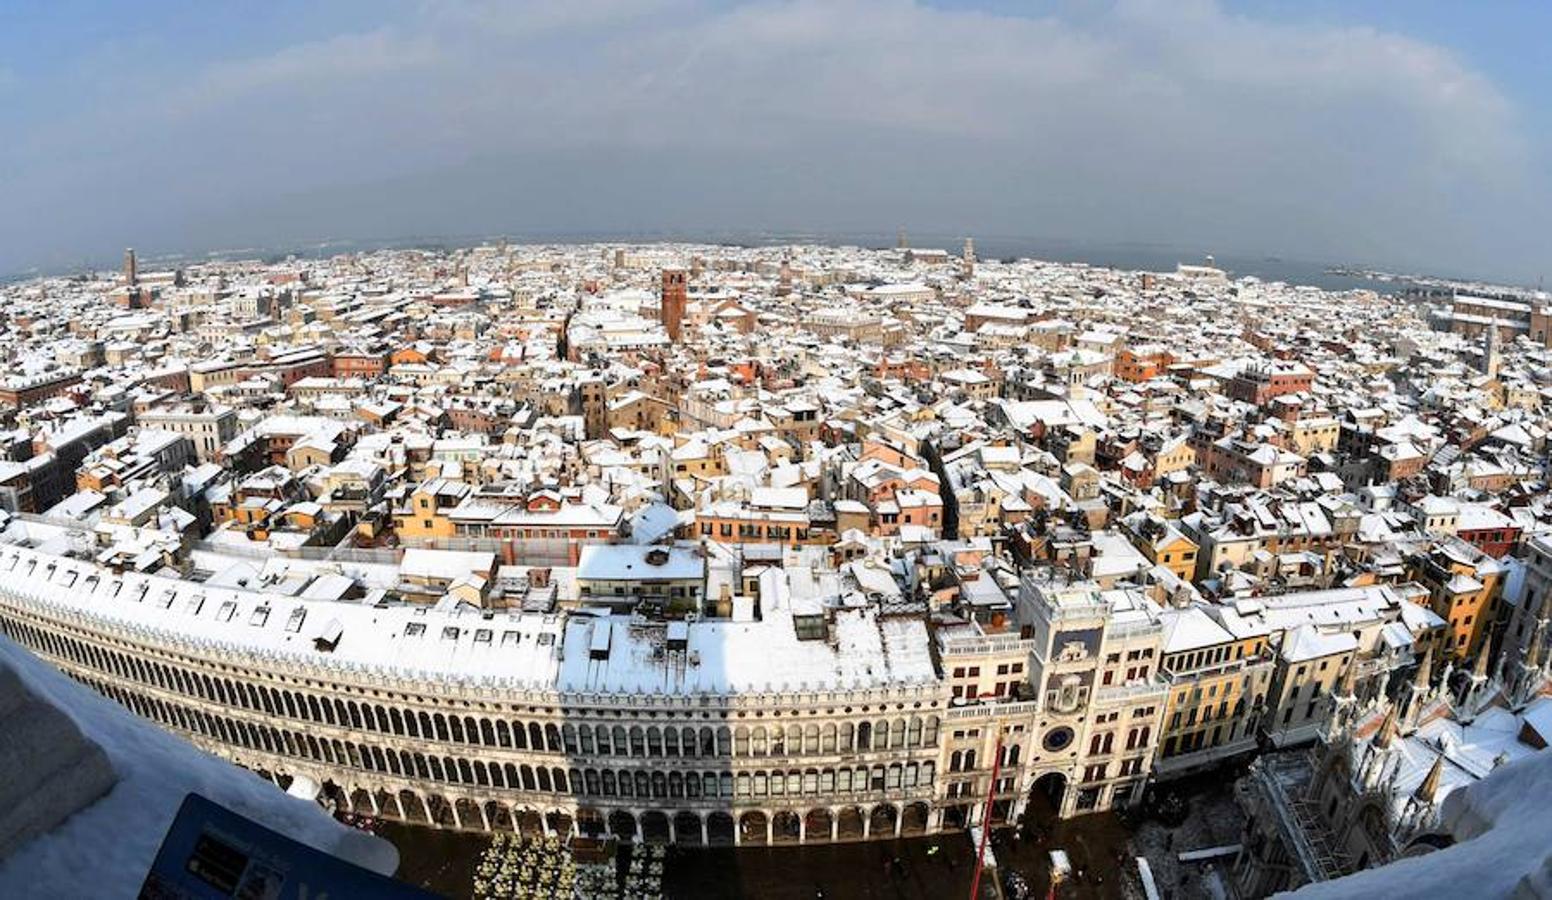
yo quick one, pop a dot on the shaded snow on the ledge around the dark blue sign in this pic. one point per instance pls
(106, 850)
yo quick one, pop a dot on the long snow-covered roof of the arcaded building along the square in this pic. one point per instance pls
(463, 643)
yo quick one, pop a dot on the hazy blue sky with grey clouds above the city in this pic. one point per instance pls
(1412, 136)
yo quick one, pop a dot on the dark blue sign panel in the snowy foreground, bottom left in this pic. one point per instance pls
(213, 854)
